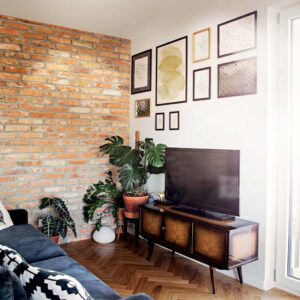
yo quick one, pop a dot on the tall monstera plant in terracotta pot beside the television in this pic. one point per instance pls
(135, 165)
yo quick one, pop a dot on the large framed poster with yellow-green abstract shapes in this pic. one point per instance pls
(171, 72)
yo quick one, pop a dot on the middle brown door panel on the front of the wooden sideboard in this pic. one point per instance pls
(177, 232)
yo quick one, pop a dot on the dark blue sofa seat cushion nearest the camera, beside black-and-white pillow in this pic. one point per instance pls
(64, 264)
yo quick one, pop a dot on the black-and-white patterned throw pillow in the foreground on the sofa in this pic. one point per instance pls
(42, 284)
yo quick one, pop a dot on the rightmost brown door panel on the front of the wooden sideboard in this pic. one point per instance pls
(210, 244)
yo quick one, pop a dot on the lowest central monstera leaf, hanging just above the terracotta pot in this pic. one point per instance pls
(132, 176)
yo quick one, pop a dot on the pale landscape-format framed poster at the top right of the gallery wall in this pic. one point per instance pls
(237, 35)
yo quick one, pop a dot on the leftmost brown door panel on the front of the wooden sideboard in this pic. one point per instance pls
(151, 223)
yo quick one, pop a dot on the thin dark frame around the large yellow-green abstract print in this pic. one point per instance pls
(186, 71)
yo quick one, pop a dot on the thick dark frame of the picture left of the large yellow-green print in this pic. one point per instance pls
(147, 87)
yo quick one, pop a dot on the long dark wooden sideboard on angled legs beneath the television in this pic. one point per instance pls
(219, 244)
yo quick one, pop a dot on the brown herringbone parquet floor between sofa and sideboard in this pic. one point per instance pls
(165, 277)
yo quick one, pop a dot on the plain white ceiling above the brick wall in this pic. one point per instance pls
(123, 18)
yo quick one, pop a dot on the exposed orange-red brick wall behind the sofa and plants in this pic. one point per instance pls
(62, 91)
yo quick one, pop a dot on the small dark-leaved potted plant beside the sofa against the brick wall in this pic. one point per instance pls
(57, 222)
